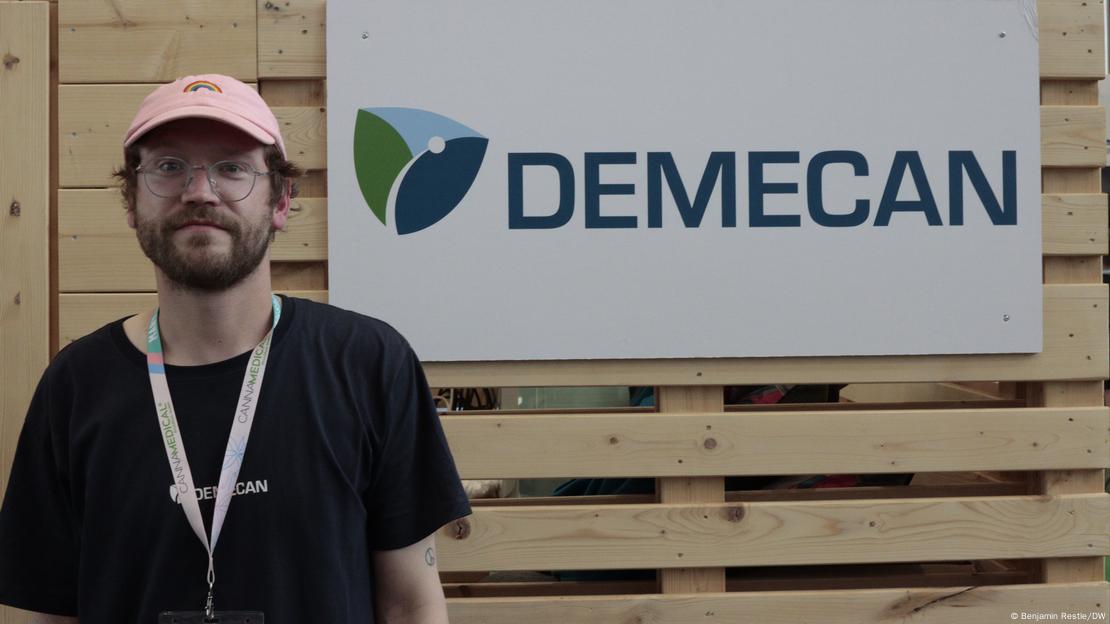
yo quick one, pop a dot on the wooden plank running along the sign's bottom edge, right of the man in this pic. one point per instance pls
(1075, 348)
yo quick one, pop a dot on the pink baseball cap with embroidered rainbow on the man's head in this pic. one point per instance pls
(209, 96)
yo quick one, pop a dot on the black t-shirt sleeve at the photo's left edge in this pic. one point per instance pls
(38, 532)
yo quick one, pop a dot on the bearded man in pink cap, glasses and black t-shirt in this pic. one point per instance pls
(317, 472)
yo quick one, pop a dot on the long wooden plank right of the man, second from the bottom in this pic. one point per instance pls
(780, 534)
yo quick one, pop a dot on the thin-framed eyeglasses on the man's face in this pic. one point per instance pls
(169, 177)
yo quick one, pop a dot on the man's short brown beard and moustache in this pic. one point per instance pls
(205, 270)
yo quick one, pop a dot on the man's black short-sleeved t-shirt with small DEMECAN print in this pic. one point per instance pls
(346, 457)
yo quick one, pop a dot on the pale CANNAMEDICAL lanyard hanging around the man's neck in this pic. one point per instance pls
(237, 442)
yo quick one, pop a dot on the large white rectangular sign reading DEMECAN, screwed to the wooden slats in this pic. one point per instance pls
(598, 179)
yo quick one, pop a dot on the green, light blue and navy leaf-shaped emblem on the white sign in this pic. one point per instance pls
(415, 165)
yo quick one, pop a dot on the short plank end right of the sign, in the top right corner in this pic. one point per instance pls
(1071, 38)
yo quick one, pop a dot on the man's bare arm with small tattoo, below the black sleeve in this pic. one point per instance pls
(407, 586)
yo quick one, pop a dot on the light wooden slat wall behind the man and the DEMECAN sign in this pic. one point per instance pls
(112, 55)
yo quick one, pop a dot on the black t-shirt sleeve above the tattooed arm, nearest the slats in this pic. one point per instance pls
(415, 487)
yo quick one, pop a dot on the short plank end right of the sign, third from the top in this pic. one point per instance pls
(1075, 225)
